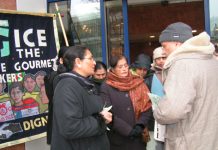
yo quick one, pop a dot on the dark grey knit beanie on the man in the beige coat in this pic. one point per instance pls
(178, 32)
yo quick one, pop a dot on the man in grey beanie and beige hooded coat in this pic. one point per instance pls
(189, 107)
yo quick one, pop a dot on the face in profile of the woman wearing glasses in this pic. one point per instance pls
(86, 66)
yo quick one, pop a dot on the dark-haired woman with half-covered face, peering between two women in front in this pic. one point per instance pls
(100, 73)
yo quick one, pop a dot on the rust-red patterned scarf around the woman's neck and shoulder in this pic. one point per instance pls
(136, 88)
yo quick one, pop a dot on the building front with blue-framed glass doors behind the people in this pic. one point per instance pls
(111, 27)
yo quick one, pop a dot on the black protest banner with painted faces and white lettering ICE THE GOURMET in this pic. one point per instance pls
(27, 53)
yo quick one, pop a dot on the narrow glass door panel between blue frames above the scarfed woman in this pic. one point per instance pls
(115, 28)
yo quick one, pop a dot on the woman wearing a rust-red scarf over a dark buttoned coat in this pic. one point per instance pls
(131, 106)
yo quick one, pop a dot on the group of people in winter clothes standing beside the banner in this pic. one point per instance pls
(92, 107)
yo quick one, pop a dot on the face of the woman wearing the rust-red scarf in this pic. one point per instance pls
(122, 68)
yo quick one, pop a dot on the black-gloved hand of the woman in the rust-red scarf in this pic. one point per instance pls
(136, 131)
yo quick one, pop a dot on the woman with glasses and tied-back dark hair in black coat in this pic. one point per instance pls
(79, 120)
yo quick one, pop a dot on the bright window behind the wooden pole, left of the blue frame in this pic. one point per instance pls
(81, 19)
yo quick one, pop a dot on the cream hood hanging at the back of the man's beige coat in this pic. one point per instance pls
(199, 45)
